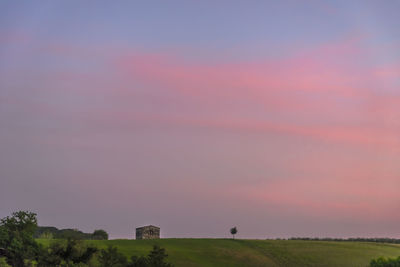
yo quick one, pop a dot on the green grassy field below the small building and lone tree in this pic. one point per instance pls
(228, 252)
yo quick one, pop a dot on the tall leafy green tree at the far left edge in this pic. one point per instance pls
(16, 238)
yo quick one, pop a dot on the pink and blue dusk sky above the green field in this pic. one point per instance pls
(281, 118)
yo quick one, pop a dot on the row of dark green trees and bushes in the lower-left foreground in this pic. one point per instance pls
(18, 248)
